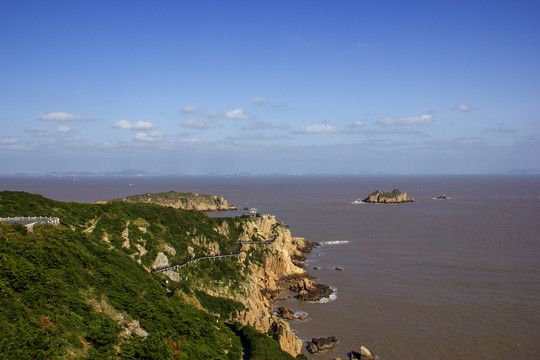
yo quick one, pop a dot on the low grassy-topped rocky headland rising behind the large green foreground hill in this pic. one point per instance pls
(178, 200)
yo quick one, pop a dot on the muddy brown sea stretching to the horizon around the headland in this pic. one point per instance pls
(435, 279)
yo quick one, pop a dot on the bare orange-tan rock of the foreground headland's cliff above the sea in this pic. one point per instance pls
(262, 276)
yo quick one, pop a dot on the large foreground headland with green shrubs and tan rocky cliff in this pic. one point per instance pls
(84, 289)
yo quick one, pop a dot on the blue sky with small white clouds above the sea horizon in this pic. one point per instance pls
(198, 87)
